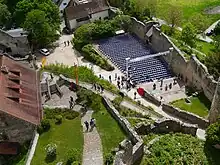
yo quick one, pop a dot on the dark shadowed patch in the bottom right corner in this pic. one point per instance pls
(212, 154)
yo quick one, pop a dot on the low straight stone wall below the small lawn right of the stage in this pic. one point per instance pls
(185, 116)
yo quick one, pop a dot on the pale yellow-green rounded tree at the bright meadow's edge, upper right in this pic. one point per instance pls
(199, 21)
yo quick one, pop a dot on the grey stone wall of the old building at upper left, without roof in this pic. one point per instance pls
(18, 45)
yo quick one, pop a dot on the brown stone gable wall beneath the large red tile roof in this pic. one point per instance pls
(17, 130)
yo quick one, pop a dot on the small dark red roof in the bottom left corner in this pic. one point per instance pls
(9, 148)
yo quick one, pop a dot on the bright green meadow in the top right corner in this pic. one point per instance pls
(189, 7)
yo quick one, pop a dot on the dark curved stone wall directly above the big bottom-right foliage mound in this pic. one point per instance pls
(166, 126)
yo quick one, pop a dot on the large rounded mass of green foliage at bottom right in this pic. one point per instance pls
(177, 149)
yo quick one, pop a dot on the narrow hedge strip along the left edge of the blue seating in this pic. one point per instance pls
(91, 55)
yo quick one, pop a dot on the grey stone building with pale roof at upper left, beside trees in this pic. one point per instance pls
(14, 42)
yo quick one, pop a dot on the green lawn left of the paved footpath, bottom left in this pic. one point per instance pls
(67, 135)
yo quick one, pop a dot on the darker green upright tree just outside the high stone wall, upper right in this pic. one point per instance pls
(188, 34)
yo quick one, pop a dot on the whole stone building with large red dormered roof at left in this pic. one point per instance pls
(20, 102)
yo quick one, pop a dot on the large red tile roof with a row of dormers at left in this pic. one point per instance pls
(20, 91)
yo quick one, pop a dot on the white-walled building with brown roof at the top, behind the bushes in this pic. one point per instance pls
(84, 11)
